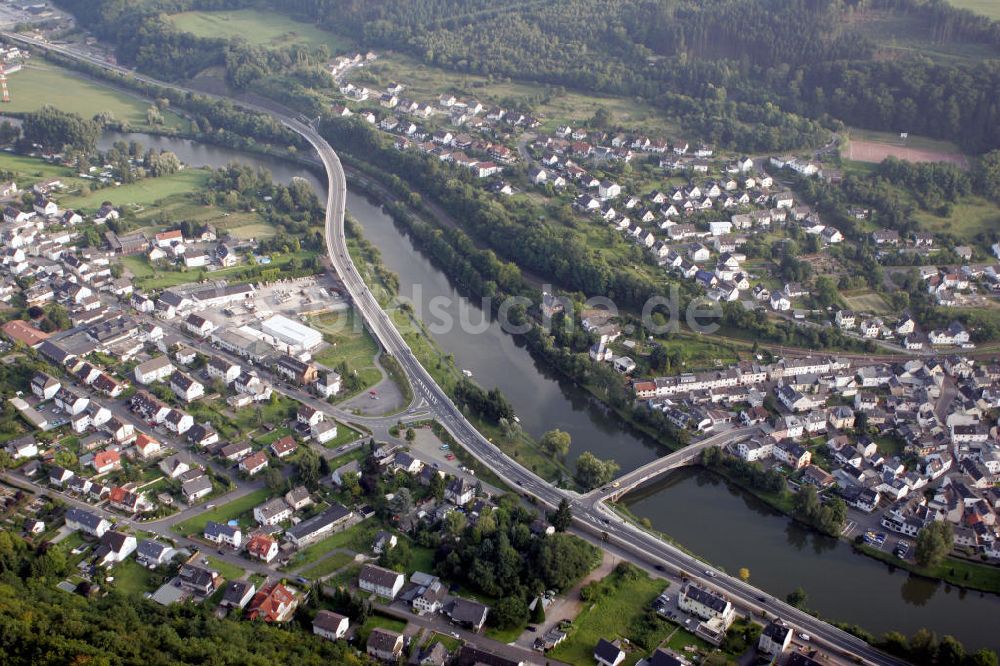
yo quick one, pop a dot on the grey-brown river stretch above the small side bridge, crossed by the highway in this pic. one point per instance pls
(542, 399)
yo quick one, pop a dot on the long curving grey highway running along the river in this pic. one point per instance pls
(590, 515)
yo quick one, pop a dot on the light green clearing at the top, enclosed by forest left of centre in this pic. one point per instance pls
(262, 28)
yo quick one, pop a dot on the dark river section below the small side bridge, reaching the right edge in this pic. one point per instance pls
(731, 528)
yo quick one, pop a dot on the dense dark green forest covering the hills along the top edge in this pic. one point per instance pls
(754, 75)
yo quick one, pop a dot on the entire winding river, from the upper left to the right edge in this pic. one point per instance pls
(709, 517)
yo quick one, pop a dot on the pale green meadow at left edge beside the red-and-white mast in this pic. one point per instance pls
(41, 83)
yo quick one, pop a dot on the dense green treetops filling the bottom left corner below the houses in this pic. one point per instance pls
(42, 625)
